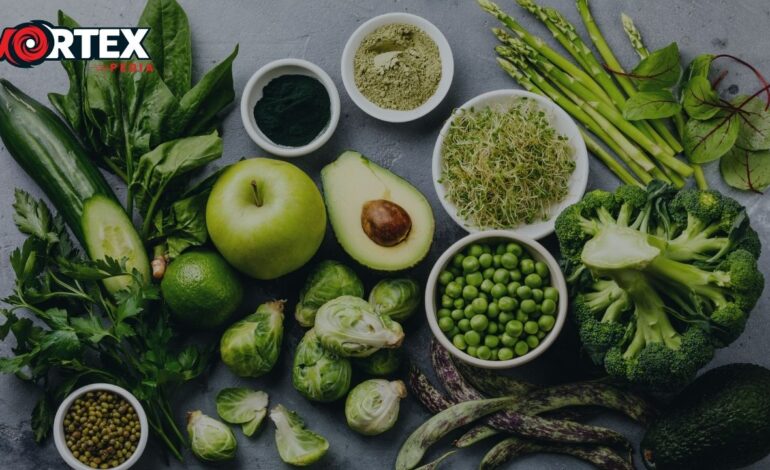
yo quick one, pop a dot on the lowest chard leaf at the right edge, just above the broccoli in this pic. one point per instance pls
(745, 170)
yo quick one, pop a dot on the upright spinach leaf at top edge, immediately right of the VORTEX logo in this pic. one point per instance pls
(168, 43)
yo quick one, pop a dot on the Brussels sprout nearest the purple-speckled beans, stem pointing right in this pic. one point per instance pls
(372, 406)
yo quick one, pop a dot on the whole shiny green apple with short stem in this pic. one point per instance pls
(266, 217)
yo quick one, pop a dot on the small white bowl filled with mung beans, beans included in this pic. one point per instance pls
(100, 426)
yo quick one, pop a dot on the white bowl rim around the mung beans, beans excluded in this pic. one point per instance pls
(58, 426)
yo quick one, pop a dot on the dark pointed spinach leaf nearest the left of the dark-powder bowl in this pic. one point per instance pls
(208, 97)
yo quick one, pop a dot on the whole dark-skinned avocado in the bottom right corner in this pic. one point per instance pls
(719, 422)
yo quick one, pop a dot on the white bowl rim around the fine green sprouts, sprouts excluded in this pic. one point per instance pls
(563, 124)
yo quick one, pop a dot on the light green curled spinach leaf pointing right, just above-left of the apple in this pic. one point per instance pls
(169, 161)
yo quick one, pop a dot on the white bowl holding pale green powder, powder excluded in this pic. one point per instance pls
(392, 115)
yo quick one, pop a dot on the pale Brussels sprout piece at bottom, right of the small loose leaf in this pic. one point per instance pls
(296, 444)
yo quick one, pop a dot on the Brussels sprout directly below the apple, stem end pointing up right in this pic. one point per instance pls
(251, 346)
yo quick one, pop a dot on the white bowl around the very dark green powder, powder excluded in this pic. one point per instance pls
(252, 93)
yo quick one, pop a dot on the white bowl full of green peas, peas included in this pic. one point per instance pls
(496, 300)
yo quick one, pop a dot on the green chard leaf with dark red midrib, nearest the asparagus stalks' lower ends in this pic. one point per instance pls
(705, 141)
